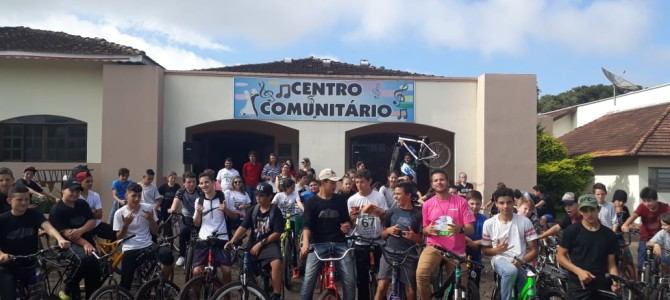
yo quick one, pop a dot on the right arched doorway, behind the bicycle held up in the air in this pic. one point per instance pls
(373, 144)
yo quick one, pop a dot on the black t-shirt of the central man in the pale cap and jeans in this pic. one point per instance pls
(323, 218)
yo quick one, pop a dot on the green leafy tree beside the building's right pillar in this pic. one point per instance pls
(557, 171)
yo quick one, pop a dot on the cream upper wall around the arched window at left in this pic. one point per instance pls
(69, 89)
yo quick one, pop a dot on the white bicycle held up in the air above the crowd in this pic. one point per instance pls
(434, 155)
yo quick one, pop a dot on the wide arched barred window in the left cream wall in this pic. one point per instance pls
(43, 138)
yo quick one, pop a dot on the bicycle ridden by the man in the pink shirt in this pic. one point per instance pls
(453, 287)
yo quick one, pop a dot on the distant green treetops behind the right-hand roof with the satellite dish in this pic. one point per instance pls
(577, 95)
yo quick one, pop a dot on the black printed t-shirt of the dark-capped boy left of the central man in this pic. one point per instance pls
(260, 225)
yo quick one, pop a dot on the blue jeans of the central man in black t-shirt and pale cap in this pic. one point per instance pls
(345, 269)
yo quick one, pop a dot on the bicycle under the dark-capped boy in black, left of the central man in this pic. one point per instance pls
(246, 288)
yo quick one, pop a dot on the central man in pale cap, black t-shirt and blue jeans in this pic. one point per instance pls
(326, 223)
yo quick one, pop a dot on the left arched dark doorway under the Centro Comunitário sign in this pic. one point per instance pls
(208, 144)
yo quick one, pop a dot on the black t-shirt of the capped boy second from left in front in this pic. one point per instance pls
(64, 217)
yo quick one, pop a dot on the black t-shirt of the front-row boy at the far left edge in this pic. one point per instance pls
(18, 234)
